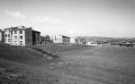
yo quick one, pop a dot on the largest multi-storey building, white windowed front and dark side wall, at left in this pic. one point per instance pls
(21, 36)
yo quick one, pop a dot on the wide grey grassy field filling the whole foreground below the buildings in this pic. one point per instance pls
(91, 65)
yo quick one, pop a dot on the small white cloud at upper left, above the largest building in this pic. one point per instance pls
(15, 14)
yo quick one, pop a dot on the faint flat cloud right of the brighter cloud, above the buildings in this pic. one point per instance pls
(43, 19)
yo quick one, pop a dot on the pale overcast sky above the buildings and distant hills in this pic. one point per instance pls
(110, 18)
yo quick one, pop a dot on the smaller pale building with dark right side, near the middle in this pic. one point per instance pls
(61, 39)
